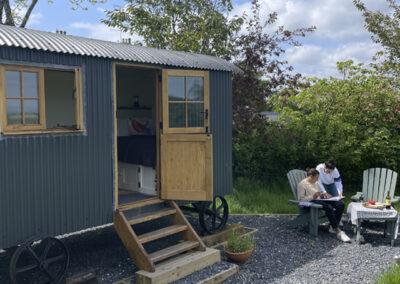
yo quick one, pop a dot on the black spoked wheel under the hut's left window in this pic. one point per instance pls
(45, 262)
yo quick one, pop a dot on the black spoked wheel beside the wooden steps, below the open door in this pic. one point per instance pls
(214, 215)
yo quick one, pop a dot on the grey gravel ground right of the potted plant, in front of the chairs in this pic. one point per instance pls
(293, 256)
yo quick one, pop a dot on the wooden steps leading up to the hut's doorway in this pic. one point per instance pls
(124, 219)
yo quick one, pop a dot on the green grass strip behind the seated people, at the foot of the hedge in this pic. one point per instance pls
(256, 197)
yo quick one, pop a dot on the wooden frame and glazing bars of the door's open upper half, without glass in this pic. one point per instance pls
(165, 102)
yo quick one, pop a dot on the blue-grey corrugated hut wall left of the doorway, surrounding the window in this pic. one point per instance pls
(53, 183)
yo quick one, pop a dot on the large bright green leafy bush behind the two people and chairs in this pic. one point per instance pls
(355, 119)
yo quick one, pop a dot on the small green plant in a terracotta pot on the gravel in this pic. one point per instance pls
(239, 247)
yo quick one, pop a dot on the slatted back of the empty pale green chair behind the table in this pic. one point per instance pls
(377, 182)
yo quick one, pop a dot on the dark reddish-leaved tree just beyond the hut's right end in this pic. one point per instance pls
(264, 70)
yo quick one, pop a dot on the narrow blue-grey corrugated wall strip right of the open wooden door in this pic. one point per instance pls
(221, 129)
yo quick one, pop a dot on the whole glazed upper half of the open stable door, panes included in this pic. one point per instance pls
(185, 101)
